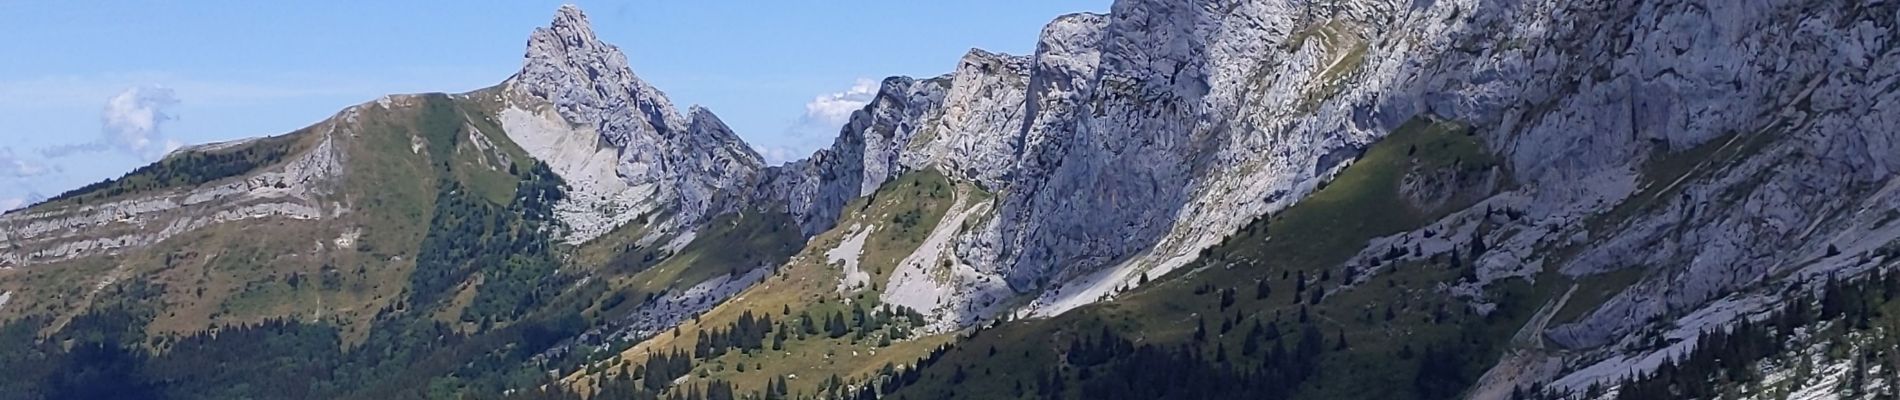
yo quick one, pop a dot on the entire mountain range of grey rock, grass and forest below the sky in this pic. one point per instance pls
(1171, 200)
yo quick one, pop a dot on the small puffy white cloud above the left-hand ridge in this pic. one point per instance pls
(134, 124)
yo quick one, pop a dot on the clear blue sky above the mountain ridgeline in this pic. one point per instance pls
(94, 90)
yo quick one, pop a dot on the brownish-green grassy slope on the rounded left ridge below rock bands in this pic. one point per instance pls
(250, 272)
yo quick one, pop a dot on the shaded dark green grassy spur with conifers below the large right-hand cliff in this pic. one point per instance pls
(1318, 234)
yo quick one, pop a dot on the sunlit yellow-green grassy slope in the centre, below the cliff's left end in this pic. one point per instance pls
(808, 285)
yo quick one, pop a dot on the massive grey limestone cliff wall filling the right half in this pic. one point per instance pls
(1133, 139)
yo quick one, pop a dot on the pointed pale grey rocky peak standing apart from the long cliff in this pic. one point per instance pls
(689, 168)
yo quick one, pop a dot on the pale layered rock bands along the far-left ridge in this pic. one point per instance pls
(280, 177)
